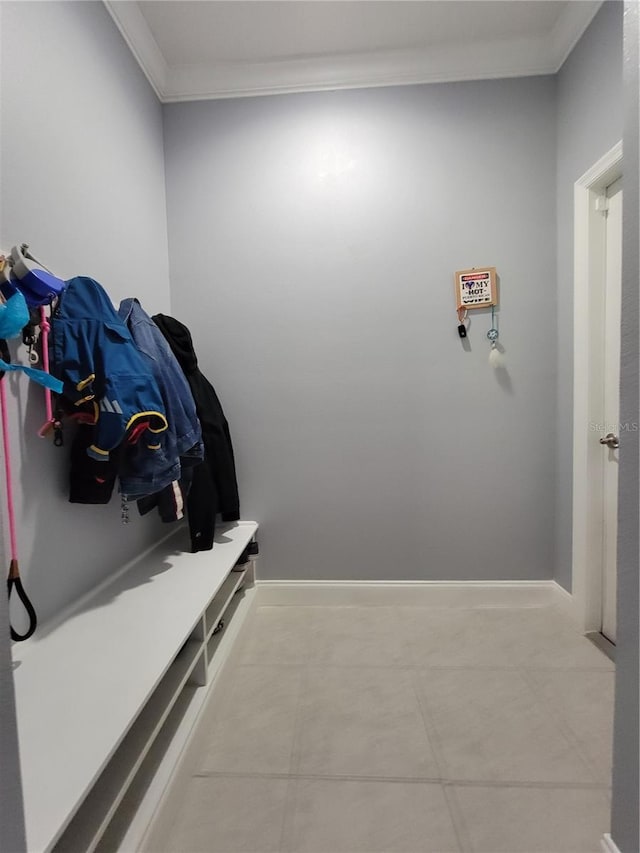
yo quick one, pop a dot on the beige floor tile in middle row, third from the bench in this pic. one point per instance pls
(489, 727)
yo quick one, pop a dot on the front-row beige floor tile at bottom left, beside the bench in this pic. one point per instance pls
(223, 815)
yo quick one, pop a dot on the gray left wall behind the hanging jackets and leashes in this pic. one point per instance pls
(82, 182)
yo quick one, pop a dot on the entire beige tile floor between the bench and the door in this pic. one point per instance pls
(399, 730)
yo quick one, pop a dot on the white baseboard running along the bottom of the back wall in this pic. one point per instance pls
(414, 593)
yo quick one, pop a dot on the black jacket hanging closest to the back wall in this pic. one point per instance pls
(214, 488)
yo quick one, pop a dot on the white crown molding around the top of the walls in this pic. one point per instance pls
(520, 57)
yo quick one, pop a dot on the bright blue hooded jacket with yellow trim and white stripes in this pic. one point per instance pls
(96, 359)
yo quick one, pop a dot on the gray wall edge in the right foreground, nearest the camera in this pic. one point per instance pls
(625, 828)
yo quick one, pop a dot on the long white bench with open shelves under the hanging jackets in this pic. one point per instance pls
(94, 692)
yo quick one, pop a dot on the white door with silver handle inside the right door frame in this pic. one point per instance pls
(611, 431)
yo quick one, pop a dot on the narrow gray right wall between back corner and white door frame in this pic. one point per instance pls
(590, 116)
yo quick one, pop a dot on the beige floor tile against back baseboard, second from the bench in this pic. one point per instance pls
(356, 636)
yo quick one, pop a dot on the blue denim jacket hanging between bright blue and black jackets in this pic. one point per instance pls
(148, 473)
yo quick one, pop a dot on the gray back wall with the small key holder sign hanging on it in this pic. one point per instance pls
(313, 240)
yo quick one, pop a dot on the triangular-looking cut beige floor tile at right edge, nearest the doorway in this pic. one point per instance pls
(585, 702)
